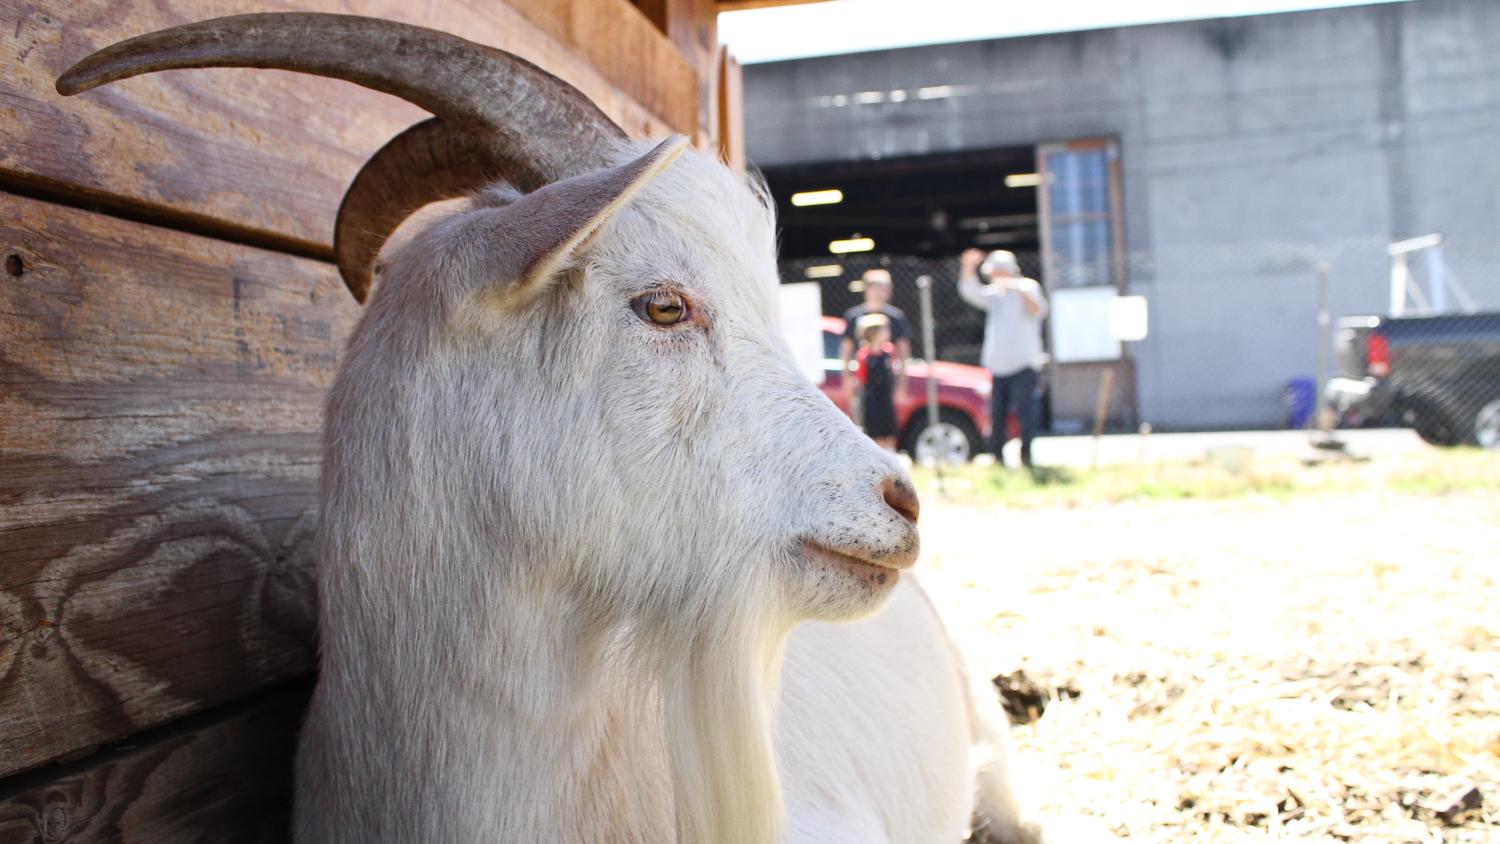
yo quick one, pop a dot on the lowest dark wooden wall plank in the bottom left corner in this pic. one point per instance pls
(221, 779)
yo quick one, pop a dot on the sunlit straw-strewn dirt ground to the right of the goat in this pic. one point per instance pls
(1322, 666)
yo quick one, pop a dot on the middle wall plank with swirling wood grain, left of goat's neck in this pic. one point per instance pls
(160, 409)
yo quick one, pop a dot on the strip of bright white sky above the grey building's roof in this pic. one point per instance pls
(854, 26)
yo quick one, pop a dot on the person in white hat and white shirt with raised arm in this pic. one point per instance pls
(1015, 310)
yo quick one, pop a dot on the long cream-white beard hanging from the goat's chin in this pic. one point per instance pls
(719, 689)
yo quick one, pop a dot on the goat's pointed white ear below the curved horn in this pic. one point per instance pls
(539, 233)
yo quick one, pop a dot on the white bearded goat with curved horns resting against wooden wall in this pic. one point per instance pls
(584, 525)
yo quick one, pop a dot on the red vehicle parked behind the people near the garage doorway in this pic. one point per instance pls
(964, 403)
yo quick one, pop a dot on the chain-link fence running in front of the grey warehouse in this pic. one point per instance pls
(1240, 338)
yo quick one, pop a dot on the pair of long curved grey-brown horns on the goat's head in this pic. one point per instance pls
(521, 121)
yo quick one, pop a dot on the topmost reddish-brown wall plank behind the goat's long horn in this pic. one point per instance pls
(260, 157)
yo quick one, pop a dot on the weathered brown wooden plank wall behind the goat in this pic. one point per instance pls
(169, 326)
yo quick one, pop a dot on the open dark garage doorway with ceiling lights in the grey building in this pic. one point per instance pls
(1055, 206)
